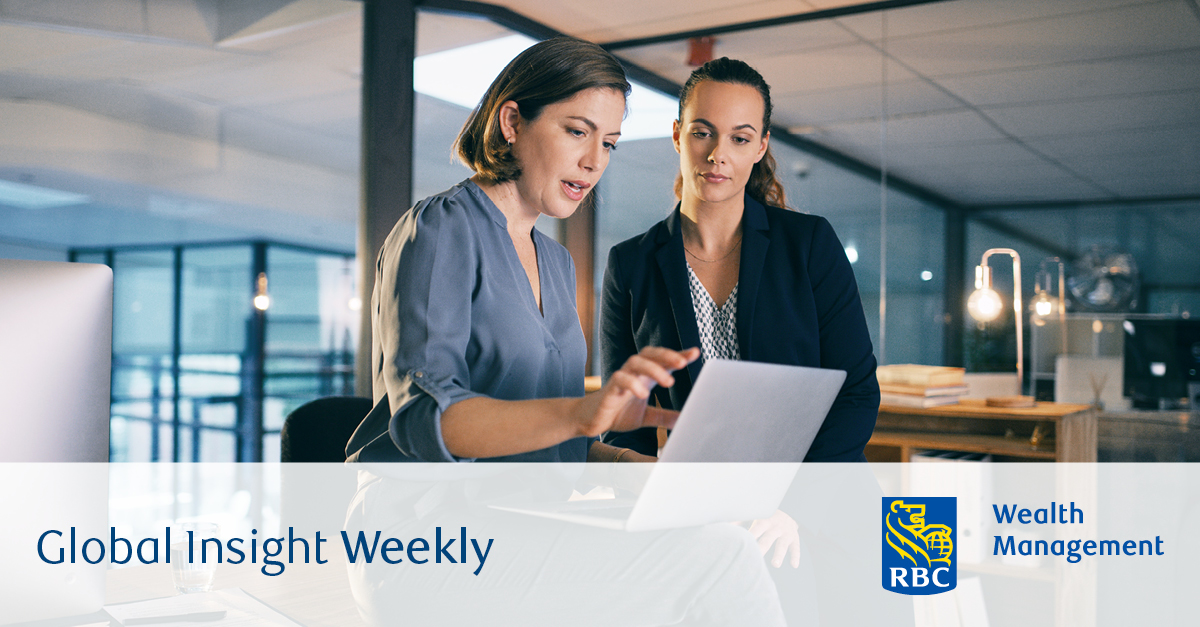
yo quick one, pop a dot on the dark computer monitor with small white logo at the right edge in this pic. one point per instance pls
(1162, 363)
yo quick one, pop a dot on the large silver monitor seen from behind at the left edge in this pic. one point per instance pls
(57, 341)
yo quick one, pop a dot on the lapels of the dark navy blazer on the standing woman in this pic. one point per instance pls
(670, 255)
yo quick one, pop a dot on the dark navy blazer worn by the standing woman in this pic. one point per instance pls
(797, 304)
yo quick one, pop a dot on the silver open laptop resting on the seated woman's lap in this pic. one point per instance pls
(759, 419)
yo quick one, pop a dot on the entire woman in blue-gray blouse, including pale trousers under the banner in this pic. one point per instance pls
(478, 355)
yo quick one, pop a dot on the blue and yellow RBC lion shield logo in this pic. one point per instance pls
(919, 545)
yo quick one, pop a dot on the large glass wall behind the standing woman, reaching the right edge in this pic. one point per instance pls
(986, 138)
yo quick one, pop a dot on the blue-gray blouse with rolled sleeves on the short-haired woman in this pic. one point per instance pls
(454, 318)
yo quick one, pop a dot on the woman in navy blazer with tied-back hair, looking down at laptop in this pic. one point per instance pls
(791, 285)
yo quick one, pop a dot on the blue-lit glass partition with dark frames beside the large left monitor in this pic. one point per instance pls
(205, 369)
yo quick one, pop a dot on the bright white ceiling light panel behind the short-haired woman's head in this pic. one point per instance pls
(473, 68)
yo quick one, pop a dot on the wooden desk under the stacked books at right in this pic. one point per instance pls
(1066, 433)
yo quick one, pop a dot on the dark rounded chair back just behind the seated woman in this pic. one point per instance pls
(319, 431)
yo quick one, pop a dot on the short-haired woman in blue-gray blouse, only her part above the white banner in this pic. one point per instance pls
(478, 351)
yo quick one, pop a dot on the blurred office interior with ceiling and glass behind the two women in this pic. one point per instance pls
(235, 162)
